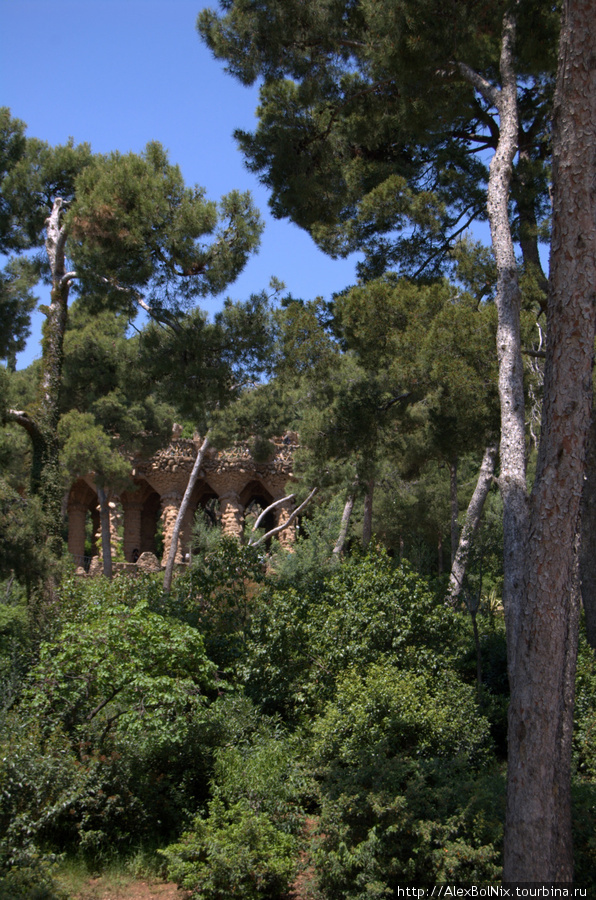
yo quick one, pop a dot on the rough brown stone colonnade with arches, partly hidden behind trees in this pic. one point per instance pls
(229, 483)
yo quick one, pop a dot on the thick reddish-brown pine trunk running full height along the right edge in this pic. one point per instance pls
(538, 822)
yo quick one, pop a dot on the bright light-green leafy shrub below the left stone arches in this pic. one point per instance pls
(120, 675)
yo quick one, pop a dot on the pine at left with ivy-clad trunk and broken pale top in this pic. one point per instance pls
(124, 231)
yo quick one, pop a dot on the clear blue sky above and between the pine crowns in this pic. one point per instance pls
(119, 73)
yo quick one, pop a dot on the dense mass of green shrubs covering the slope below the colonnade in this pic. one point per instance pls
(252, 725)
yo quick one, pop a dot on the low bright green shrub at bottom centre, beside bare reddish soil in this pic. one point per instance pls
(249, 842)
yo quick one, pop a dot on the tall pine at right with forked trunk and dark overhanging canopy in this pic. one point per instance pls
(370, 118)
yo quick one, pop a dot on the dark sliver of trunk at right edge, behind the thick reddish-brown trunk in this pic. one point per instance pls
(587, 554)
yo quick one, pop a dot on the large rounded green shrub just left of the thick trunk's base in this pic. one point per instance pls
(400, 759)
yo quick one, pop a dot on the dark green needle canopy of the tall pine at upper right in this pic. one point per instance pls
(370, 134)
